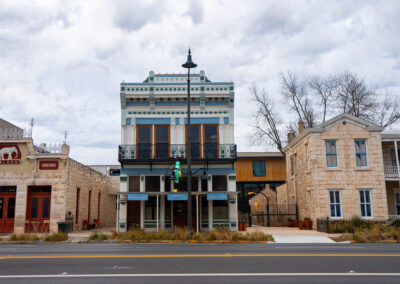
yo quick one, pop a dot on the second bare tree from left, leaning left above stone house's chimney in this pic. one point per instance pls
(296, 94)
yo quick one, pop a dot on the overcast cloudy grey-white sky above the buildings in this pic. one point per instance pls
(61, 62)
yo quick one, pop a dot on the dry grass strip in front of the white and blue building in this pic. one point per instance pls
(181, 234)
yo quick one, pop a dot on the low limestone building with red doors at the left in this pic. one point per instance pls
(42, 185)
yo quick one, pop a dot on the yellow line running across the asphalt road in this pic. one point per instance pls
(197, 255)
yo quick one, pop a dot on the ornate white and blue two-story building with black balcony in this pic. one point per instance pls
(153, 138)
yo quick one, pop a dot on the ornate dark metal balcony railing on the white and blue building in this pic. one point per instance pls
(165, 151)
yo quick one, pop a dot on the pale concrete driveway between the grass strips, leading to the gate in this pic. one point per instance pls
(294, 235)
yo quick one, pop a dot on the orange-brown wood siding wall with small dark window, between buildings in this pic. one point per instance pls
(275, 169)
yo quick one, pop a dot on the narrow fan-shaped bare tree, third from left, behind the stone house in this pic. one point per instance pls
(324, 89)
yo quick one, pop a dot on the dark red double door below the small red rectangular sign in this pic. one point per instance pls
(38, 210)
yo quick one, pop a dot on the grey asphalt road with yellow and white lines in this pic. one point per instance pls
(200, 263)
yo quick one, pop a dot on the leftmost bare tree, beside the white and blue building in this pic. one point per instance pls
(267, 121)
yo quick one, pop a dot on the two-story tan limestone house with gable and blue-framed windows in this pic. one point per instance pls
(336, 170)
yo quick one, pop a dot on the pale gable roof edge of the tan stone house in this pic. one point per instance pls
(370, 126)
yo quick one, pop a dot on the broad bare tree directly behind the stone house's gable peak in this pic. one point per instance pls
(354, 97)
